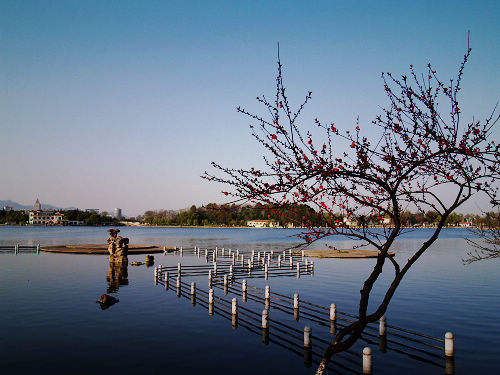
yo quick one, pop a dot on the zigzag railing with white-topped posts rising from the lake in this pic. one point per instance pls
(226, 275)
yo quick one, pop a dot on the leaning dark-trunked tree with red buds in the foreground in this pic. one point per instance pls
(425, 157)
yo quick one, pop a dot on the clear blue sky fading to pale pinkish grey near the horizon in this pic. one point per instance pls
(124, 104)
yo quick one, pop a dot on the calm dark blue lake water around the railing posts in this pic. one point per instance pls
(51, 322)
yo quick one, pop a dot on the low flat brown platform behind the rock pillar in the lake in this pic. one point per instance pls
(102, 249)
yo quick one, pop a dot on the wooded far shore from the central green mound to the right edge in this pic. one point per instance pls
(297, 215)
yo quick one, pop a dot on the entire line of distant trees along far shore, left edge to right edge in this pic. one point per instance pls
(230, 215)
